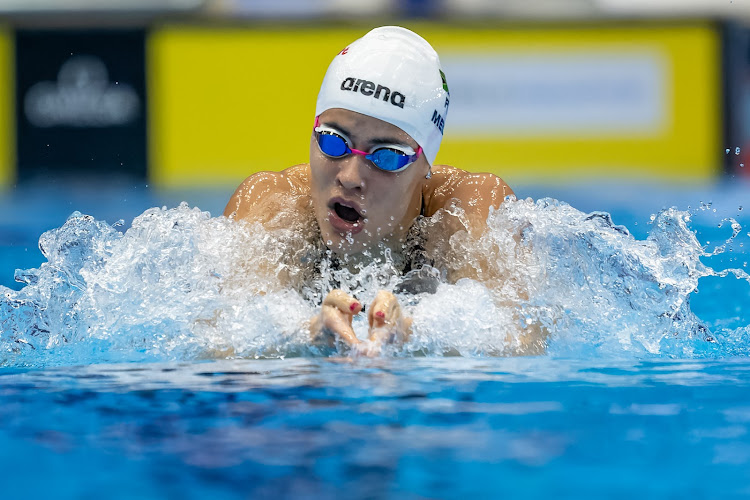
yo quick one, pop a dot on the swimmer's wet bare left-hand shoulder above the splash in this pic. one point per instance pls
(254, 192)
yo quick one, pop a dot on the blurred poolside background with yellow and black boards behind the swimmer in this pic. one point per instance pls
(111, 107)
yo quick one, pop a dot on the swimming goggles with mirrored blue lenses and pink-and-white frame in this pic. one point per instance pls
(387, 157)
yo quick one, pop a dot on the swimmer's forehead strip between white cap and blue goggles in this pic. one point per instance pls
(363, 128)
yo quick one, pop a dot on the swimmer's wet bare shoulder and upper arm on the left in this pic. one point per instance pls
(262, 195)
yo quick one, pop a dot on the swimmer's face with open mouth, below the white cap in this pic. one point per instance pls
(356, 204)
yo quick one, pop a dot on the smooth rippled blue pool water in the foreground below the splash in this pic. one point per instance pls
(393, 428)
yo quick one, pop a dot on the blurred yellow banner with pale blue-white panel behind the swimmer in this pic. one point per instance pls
(527, 103)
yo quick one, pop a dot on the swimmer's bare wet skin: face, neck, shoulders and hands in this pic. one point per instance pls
(359, 207)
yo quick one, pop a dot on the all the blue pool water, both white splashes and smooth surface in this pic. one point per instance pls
(642, 389)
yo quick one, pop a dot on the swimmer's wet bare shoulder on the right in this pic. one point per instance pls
(475, 189)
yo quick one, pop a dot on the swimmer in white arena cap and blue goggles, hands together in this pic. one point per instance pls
(379, 121)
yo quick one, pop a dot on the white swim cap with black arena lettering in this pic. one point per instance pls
(394, 75)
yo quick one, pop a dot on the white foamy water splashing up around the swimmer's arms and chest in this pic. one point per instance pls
(181, 285)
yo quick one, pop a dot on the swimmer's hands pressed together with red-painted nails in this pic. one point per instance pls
(334, 323)
